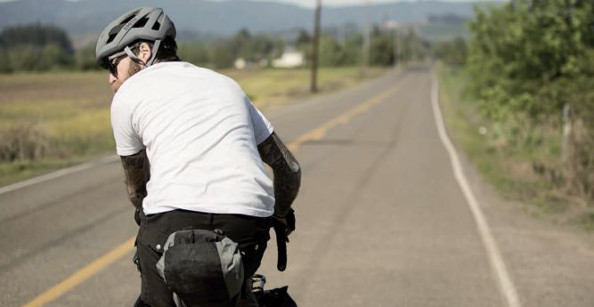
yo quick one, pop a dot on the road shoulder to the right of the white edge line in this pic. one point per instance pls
(551, 264)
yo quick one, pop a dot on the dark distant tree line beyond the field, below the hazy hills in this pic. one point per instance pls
(38, 47)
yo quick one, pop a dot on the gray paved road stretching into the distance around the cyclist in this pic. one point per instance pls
(382, 220)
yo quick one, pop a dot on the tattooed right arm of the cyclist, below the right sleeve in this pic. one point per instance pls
(287, 172)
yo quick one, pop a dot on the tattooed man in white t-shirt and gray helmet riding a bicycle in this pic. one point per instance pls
(192, 146)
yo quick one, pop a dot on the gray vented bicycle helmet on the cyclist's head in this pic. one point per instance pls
(144, 23)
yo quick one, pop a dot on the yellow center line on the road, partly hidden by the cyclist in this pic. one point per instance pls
(120, 251)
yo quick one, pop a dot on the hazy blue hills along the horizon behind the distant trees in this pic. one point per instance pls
(196, 18)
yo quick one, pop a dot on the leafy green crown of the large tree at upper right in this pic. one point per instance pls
(525, 48)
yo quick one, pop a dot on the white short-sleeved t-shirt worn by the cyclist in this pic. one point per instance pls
(200, 131)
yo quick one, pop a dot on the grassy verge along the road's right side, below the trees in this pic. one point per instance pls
(510, 170)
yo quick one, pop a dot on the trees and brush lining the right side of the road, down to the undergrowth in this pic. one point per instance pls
(531, 68)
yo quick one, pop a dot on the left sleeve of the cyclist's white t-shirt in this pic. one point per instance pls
(128, 142)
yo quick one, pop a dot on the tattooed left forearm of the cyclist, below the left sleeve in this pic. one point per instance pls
(137, 172)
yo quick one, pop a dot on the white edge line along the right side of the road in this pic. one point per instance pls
(505, 283)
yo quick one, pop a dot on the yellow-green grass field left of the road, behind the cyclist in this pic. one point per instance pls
(52, 120)
